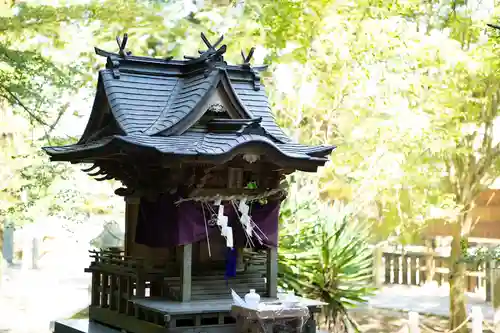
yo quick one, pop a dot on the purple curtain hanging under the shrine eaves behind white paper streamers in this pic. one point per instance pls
(162, 223)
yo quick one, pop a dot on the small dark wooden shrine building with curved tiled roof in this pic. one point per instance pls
(202, 162)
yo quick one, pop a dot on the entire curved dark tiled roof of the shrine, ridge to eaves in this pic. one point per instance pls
(155, 102)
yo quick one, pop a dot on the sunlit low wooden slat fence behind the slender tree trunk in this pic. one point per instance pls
(417, 268)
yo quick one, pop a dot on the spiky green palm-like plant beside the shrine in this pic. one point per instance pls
(326, 256)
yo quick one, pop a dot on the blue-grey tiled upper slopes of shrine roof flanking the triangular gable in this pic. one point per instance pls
(151, 103)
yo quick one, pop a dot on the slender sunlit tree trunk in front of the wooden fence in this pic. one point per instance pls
(458, 312)
